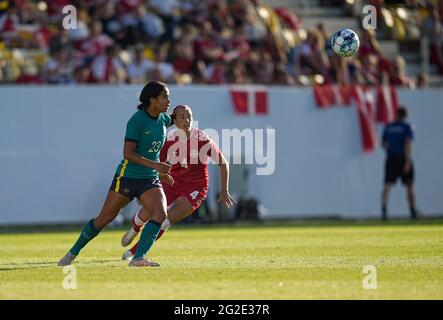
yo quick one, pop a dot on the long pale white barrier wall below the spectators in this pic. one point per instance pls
(60, 146)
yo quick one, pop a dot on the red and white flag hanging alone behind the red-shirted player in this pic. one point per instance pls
(250, 101)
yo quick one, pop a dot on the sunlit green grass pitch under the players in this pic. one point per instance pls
(270, 261)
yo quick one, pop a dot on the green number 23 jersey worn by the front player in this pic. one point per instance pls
(150, 134)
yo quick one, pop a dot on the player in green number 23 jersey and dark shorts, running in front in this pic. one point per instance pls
(137, 175)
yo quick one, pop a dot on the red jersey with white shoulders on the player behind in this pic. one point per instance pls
(189, 158)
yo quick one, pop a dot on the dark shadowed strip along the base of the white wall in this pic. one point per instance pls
(275, 223)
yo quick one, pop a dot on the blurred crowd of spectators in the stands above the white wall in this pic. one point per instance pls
(191, 41)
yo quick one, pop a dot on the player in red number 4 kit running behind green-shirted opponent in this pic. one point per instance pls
(188, 150)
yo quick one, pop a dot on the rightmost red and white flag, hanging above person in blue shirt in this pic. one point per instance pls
(387, 104)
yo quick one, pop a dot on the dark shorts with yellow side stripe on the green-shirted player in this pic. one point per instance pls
(133, 187)
